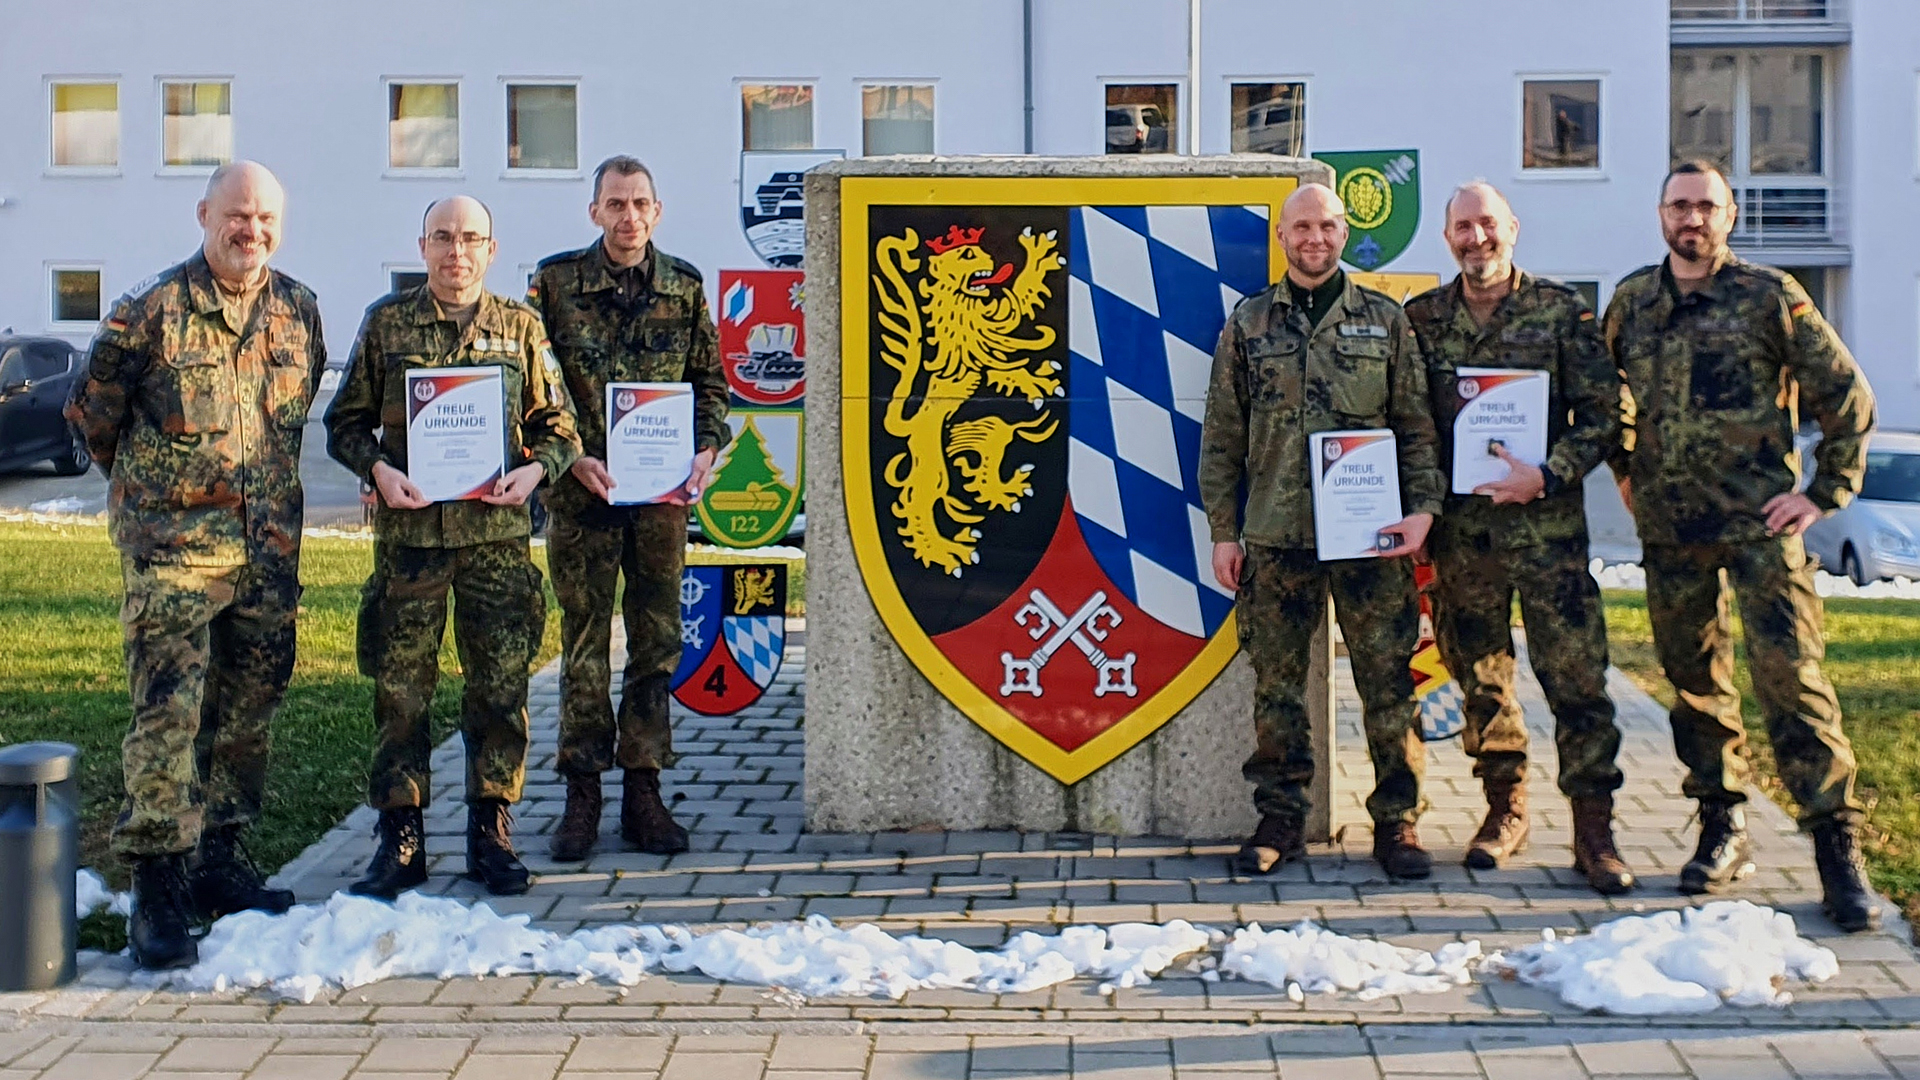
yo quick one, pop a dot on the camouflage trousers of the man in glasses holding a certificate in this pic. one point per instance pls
(498, 620)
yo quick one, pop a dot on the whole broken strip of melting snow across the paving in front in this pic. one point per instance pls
(1673, 962)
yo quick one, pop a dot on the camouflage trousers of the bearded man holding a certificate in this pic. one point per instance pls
(1474, 595)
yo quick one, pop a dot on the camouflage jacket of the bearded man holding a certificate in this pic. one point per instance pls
(1543, 326)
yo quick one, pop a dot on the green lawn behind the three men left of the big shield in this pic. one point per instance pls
(64, 679)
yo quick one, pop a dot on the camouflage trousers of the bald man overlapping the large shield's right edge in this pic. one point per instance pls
(1284, 602)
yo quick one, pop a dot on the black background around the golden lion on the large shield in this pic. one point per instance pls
(1013, 543)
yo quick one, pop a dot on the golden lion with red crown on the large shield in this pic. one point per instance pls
(972, 331)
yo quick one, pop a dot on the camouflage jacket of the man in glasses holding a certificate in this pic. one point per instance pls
(368, 422)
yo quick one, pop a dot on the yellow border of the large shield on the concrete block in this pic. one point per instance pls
(857, 197)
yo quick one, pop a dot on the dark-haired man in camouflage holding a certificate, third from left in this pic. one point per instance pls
(623, 312)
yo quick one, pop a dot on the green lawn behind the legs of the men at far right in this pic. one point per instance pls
(1873, 658)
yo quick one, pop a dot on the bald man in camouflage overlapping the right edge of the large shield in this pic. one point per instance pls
(1318, 353)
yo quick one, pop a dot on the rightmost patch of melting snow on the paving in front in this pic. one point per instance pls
(1729, 952)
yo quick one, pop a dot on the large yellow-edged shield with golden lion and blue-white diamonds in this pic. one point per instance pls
(1024, 378)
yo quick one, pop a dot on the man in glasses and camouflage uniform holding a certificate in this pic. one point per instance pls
(473, 549)
